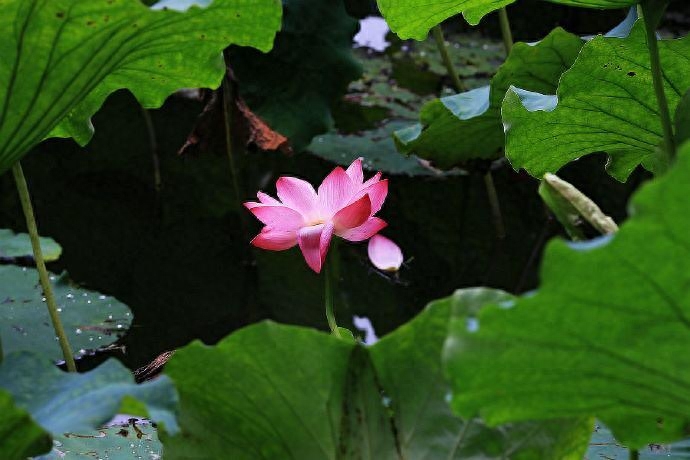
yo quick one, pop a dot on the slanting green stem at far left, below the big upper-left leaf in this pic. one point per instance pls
(44, 278)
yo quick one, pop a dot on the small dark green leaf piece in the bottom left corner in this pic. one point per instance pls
(20, 437)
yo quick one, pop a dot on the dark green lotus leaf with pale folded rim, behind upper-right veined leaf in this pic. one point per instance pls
(465, 126)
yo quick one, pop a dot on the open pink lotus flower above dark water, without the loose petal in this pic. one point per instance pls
(344, 206)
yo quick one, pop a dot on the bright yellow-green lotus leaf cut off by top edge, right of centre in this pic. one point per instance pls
(414, 18)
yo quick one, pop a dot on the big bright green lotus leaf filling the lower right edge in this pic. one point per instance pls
(606, 334)
